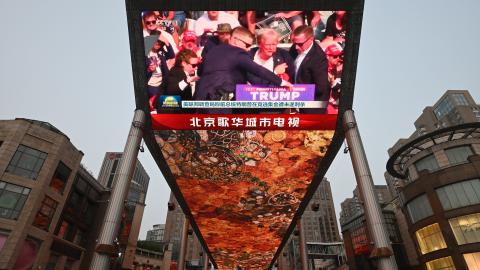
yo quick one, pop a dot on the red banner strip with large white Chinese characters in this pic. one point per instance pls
(244, 122)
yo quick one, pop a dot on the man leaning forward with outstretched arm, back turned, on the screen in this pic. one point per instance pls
(227, 65)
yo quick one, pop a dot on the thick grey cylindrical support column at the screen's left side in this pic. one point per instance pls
(111, 223)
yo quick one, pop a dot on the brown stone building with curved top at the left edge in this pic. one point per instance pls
(38, 166)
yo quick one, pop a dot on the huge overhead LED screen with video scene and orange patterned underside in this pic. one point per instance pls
(244, 105)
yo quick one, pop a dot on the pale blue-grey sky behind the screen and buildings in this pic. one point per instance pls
(69, 64)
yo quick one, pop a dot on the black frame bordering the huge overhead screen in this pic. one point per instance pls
(355, 11)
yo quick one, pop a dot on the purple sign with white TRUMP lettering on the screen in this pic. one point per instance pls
(299, 92)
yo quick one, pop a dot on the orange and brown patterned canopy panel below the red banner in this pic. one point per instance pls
(243, 187)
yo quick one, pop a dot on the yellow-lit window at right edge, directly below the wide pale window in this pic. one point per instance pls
(466, 228)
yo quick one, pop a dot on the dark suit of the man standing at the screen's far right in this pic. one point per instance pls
(314, 70)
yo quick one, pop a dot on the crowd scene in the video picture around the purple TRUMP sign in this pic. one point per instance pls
(203, 55)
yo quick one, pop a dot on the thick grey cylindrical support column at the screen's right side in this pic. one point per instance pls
(383, 251)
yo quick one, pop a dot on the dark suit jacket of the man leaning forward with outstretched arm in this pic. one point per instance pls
(224, 67)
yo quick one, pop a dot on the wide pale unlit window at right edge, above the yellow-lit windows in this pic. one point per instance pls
(459, 194)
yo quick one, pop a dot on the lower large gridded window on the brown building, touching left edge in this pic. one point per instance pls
(12, 199)
